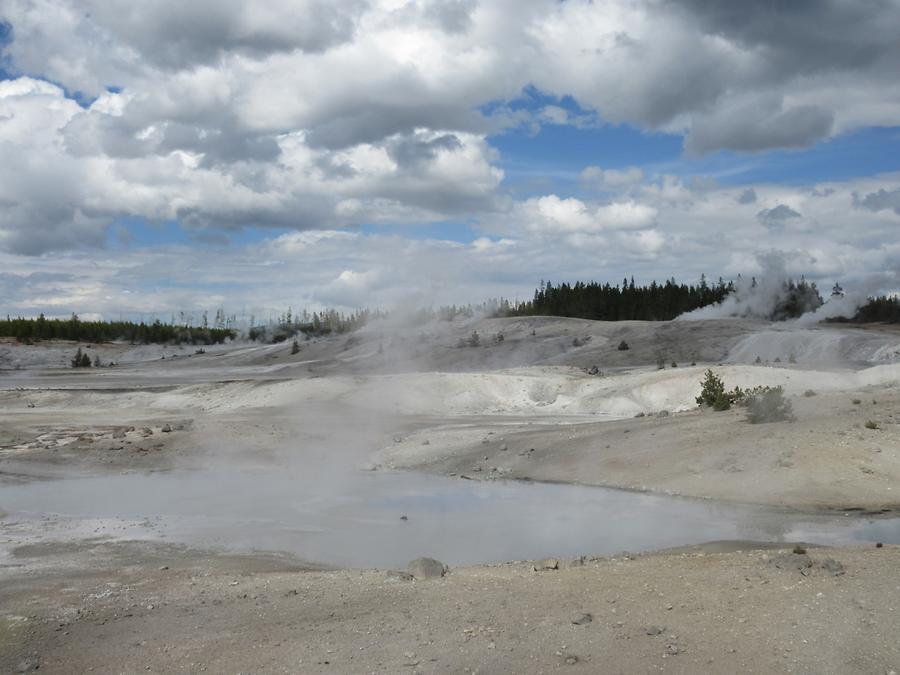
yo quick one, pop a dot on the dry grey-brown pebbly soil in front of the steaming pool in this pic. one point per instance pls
(163, 610)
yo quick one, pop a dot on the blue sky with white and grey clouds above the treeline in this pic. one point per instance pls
(169, 156)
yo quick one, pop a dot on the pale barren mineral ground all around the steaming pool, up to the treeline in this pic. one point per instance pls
(106, 591)
